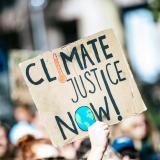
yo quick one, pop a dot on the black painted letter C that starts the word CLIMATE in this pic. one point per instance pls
(29, 77)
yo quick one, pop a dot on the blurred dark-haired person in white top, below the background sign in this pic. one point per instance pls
(25, 116)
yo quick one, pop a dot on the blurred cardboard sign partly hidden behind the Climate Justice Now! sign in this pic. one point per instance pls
(19, 90)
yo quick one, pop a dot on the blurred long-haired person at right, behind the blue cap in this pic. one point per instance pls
(146, 138)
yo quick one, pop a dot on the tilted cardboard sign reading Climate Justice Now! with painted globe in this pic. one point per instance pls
(75, 85)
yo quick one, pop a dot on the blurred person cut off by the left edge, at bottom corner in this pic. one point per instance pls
(6, 150)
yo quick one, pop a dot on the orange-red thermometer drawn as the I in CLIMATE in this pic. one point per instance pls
(62, 77)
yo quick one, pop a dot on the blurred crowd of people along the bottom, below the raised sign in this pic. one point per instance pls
(26, 139)
